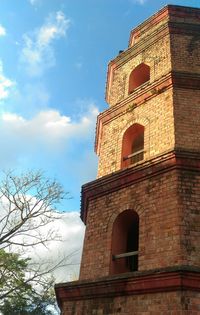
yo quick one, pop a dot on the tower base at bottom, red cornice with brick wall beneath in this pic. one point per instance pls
(169, 291)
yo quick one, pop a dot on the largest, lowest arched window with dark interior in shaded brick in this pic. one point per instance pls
(125, 239)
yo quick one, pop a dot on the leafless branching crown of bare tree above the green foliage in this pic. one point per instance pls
(28, 203)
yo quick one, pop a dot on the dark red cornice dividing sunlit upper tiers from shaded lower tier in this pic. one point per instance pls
(166, 162)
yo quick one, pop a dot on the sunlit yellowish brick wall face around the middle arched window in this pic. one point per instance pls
(156, 115)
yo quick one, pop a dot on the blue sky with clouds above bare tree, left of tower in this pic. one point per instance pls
(53, 63)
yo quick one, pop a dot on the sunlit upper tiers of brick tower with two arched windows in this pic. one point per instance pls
(153, 89)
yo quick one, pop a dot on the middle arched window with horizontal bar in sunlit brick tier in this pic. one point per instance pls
(132, 145)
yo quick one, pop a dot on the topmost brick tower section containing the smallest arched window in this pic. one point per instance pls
(158, 44)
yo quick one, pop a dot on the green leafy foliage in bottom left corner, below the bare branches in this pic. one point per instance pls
(17, 295)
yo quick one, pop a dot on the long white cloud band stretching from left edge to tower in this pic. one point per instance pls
(48, 125)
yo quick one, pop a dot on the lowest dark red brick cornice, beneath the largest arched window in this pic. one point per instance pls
(154, 281)
